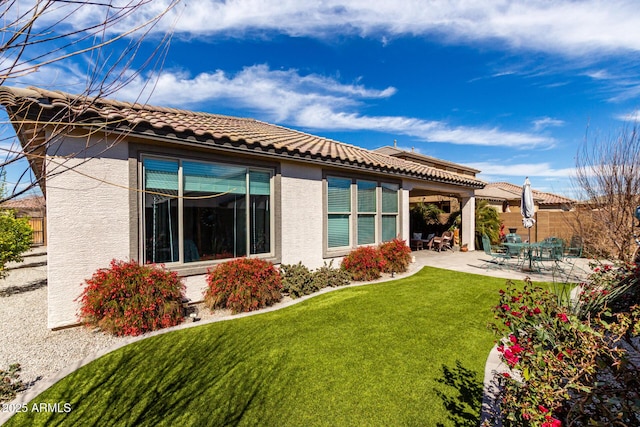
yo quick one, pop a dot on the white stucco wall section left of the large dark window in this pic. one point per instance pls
(88, 220)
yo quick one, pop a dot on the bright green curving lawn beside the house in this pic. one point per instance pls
(365, 356)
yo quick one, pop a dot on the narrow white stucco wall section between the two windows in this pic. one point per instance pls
(302, 214)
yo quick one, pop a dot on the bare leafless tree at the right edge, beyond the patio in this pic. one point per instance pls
(607, 180)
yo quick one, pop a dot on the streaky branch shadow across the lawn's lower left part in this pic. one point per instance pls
(118, 390)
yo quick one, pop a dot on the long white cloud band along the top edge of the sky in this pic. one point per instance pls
(569, 27)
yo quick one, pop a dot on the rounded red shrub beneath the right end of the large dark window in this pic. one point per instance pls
(244, 284)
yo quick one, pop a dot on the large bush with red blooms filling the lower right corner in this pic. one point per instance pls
(569, 361)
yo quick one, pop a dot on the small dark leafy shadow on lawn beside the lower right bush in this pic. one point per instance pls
(462, 396)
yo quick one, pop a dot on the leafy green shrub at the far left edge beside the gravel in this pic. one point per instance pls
(15, 238)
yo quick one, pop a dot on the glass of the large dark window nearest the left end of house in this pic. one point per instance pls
(196, 211)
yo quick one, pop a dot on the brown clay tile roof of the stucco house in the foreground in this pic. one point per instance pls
(210, 130)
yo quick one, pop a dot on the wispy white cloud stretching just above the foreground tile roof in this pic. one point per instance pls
(312, 102)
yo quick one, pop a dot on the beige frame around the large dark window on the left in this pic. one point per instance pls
(248, 168)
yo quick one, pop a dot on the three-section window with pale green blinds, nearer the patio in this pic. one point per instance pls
(375, 215)
